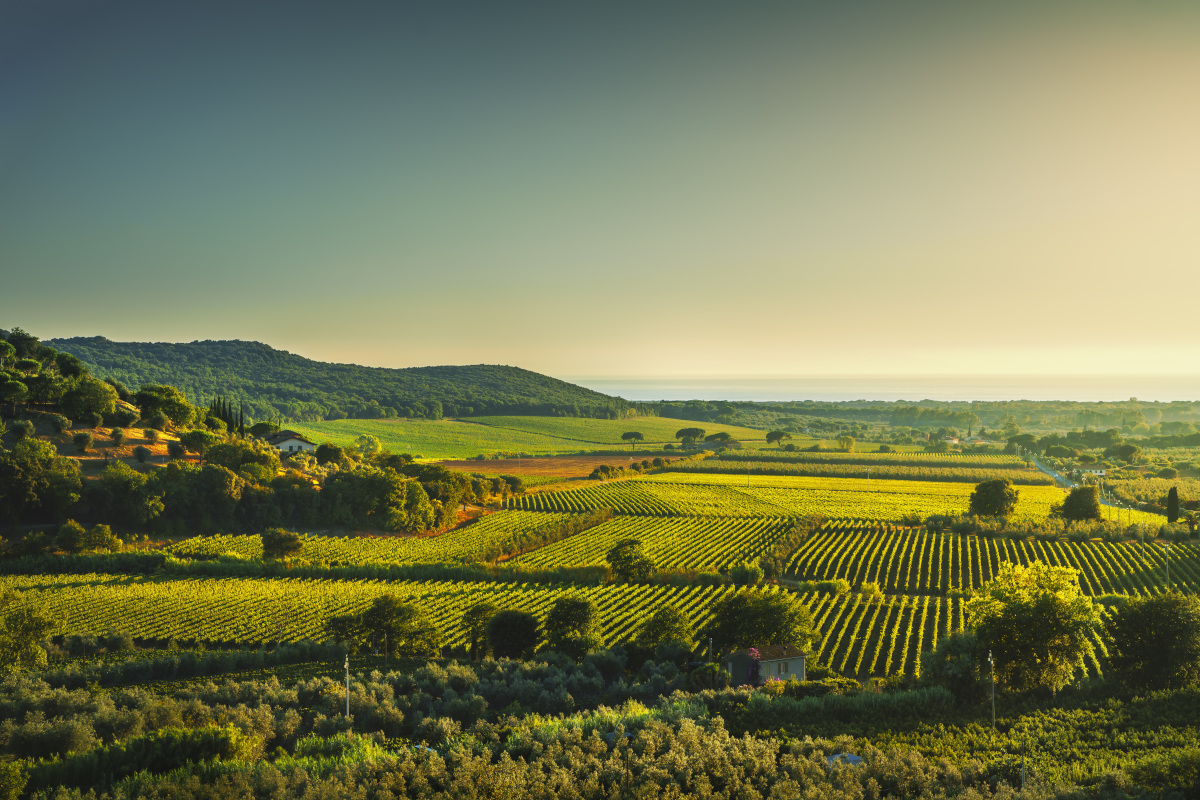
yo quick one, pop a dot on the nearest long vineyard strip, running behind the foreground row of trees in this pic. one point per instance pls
(856, 635)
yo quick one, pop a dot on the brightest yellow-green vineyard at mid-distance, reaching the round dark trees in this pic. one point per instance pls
(741, 496)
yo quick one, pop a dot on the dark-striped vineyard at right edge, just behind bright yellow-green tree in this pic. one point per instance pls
(913, 561)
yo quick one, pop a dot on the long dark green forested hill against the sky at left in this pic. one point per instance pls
(279, 384)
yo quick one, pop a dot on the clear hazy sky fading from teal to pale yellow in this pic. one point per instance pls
(643, 189)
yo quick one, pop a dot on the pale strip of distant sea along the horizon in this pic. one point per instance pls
(902, 388)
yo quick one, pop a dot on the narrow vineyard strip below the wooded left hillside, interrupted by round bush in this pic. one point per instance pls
(461, 544)
